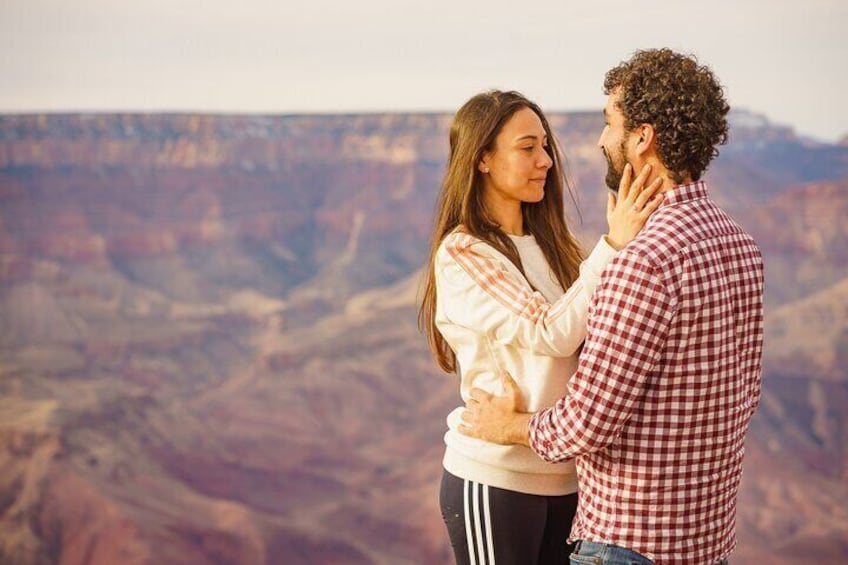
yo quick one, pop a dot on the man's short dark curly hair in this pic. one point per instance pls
(681, 99)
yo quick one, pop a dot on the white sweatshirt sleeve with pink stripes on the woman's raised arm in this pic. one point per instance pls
(478, 290)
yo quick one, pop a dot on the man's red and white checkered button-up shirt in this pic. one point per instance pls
(667, 382)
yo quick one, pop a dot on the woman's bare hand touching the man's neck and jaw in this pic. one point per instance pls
(627, 213)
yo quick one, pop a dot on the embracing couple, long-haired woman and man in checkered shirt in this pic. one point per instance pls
(607, 396)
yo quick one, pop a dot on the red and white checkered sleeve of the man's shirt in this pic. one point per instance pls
(627, 333)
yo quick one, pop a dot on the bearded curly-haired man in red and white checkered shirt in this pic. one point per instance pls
(669, 375)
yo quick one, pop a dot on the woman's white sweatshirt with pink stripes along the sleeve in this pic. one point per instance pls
(494, 322)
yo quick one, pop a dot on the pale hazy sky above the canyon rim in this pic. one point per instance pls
(784, 59)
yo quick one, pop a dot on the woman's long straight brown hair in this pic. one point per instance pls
(473, 132)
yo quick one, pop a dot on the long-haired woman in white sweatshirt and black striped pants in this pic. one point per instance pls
(495, 301)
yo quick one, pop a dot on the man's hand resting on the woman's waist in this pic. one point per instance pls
(498, 419)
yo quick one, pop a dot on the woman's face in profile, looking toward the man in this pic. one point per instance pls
(517, 168)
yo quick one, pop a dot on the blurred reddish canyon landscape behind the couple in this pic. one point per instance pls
(209, 352)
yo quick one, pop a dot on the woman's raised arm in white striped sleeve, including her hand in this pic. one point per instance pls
(480, 289)
